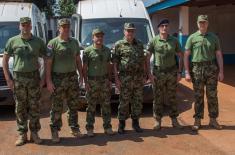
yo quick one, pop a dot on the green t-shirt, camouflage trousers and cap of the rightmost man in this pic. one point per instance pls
(204, 71)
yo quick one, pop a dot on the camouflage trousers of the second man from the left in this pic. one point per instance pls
(66, 87)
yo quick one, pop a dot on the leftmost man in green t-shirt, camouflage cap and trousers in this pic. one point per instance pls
(25, 49)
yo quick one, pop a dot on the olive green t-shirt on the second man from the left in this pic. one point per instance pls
(64, 54)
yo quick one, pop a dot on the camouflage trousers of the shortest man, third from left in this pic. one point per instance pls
(100, 93)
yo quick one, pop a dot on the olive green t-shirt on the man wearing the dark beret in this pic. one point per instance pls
(164, 51)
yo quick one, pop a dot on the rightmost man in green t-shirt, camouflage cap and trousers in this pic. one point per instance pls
(206, 69)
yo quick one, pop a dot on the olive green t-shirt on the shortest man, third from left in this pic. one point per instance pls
(97, 60)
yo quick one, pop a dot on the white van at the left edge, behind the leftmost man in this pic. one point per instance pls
(10, 14)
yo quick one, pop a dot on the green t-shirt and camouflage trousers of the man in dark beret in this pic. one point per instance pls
(165, 71)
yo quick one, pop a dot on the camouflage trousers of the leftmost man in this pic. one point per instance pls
(27, 95)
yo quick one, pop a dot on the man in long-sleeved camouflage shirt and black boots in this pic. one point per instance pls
(129, 61)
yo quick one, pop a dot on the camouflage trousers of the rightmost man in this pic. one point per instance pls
(205, 75)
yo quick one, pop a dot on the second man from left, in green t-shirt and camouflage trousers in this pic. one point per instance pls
(63, 59)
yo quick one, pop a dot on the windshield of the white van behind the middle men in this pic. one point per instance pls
(113, 29)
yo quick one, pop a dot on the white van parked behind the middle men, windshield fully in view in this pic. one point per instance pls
(111, 15)
